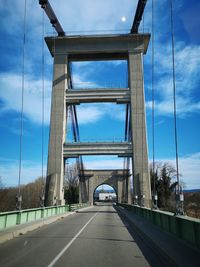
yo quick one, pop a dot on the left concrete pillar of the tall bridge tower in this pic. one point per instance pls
(55, 168)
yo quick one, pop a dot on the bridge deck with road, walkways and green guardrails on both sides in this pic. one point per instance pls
(103, 235)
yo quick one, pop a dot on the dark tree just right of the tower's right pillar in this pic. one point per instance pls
(162, 178)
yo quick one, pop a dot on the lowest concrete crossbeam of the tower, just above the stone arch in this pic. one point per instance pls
(121, 149)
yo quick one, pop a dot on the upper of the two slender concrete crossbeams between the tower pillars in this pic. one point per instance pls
(77, 96)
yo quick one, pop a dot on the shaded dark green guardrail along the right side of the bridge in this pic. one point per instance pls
(185, 228)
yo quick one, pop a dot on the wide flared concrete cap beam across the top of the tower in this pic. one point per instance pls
(89, 47)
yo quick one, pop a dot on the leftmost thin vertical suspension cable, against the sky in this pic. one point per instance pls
(22, 109)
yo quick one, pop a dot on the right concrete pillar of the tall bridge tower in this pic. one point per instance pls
(141, 178)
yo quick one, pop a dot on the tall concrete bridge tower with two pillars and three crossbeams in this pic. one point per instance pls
(66, 49)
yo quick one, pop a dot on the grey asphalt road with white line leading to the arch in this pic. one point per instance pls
(94, 237)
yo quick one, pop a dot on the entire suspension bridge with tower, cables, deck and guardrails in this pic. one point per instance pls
(130, 232)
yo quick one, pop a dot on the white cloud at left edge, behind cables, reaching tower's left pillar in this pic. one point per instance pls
(10, 93)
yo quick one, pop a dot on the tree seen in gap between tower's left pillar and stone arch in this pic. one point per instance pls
(71, 184)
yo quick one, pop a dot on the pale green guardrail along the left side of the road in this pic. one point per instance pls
(13, 218)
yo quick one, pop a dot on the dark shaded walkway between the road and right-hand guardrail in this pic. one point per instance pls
(178, 252)
